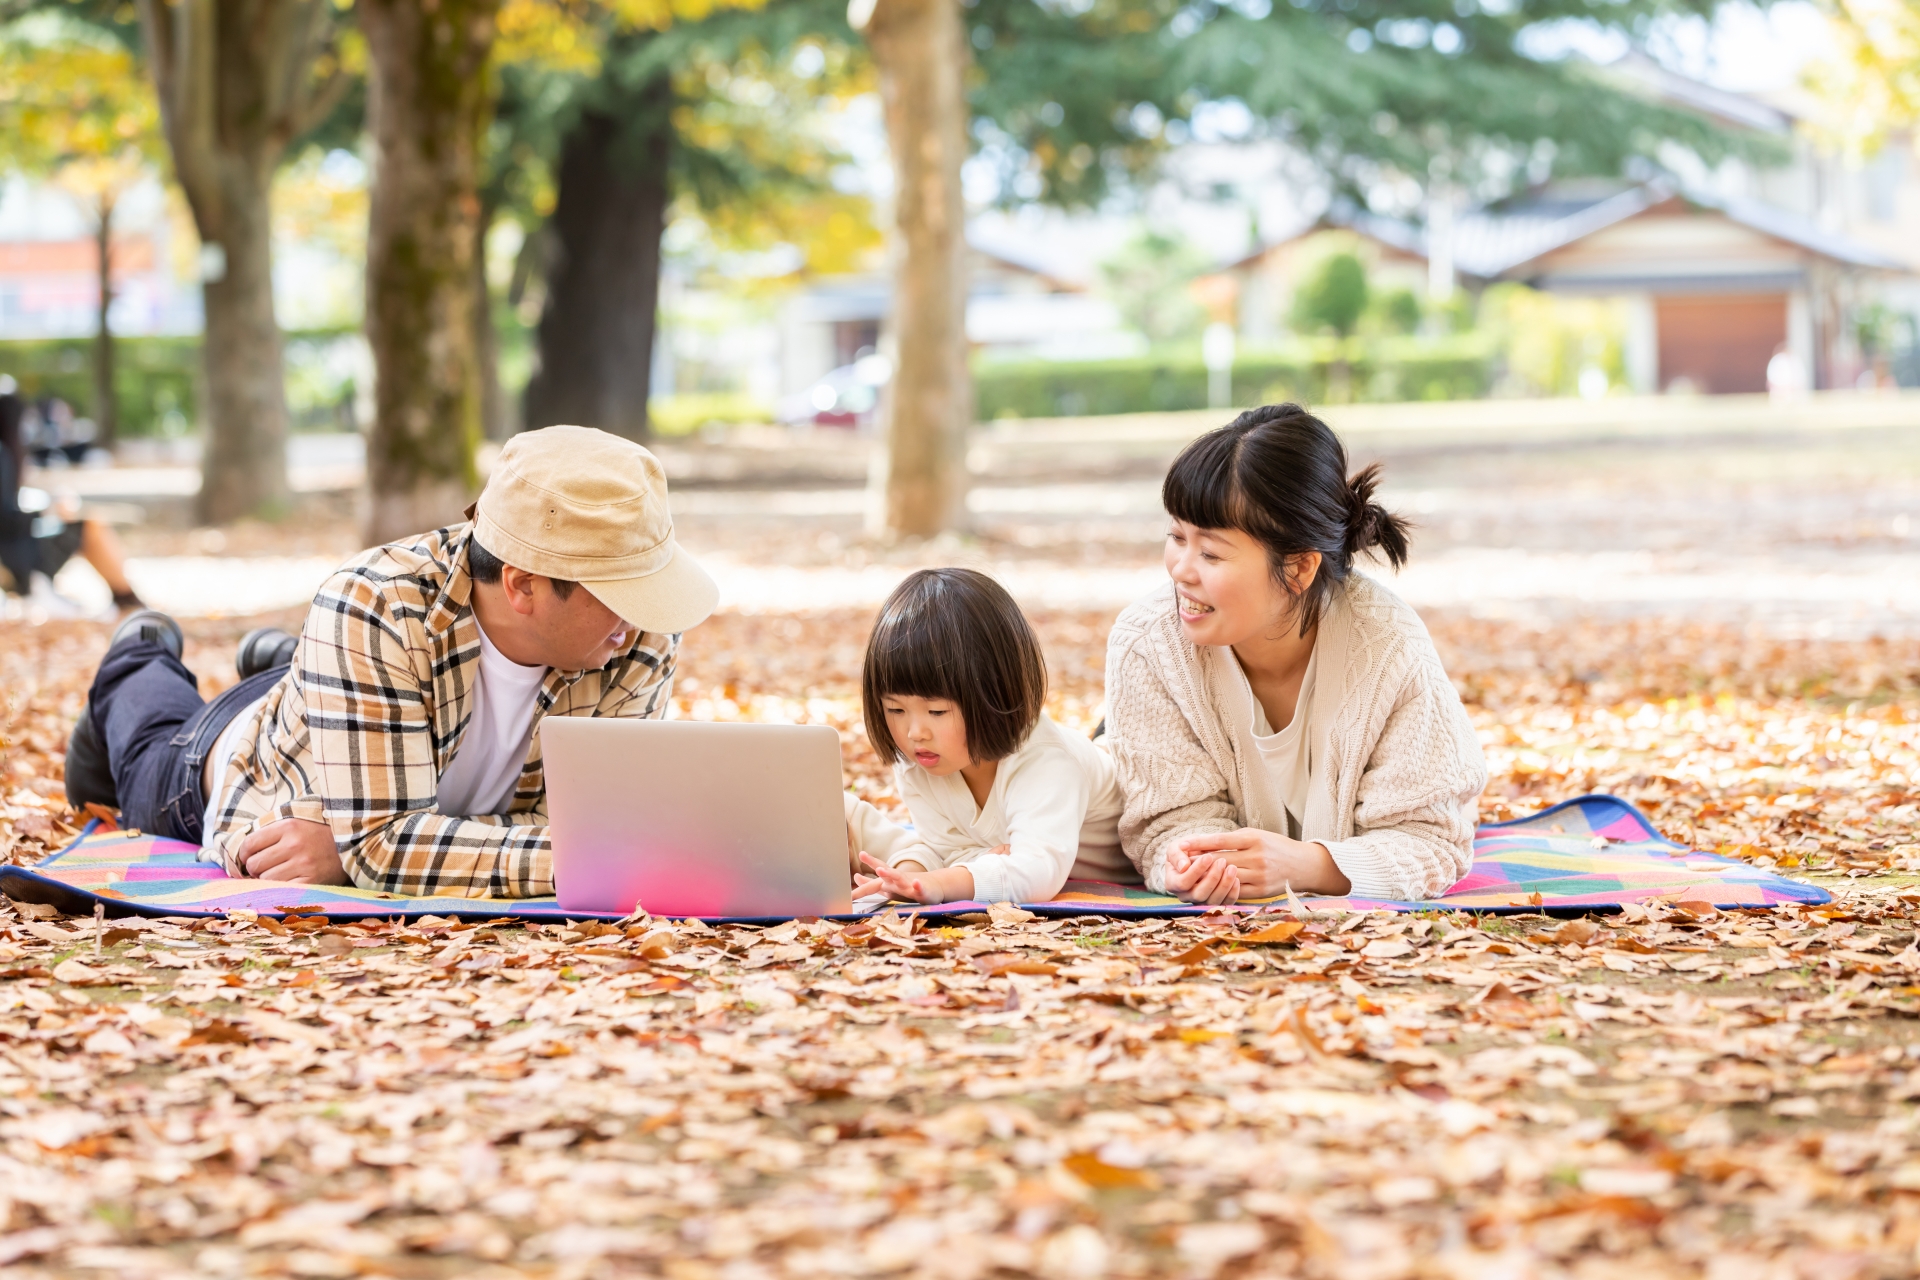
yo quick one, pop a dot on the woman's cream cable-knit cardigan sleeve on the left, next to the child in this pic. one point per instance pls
(1172, 786)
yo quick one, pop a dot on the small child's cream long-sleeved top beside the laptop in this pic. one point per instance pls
(1055, 803)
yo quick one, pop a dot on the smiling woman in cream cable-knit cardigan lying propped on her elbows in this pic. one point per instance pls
(1280, 721)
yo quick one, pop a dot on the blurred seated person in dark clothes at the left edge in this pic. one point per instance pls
(41, 534)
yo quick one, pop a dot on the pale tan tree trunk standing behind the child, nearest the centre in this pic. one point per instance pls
(923, 57)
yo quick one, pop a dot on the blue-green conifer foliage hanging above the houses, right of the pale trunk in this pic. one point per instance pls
(1074, 99)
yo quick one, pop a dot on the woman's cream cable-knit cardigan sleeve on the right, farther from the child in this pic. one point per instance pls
(1416, 797)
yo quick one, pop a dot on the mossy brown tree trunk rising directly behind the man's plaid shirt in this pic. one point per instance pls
(427, 112)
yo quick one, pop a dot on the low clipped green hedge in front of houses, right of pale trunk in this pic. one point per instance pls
(1389, 371)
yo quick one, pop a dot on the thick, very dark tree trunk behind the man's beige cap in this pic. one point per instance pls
(604, 291)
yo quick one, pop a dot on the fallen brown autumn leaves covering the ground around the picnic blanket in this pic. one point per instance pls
(1658, 1093)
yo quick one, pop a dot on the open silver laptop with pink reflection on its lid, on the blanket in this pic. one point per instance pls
(694, 818)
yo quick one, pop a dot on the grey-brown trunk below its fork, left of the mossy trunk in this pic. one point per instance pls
(243, 471)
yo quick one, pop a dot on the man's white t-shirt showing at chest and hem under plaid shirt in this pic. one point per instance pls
(487, 765)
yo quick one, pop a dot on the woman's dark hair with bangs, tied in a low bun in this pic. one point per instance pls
(1280, 477)
